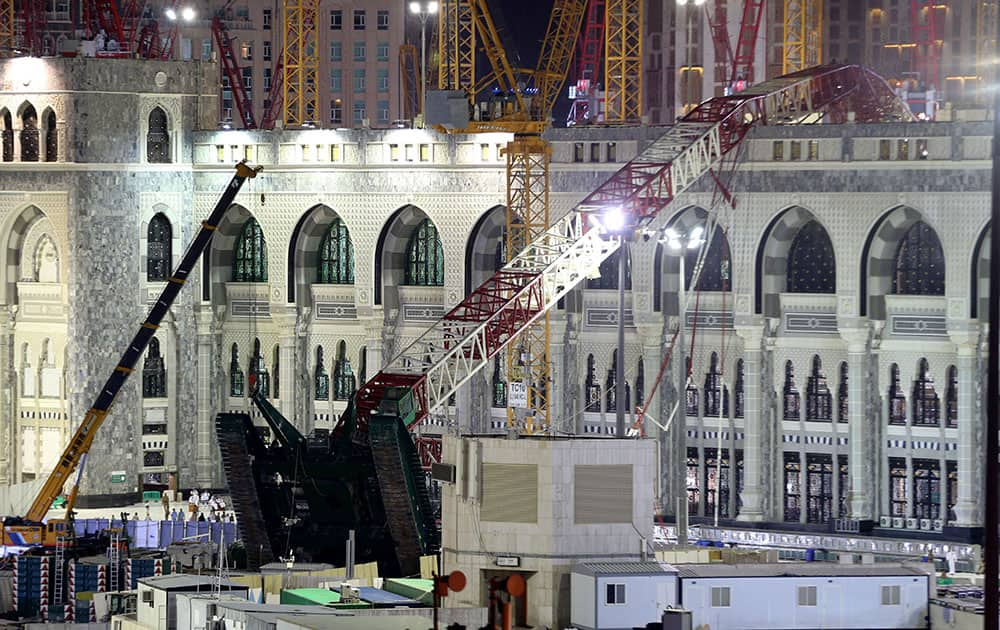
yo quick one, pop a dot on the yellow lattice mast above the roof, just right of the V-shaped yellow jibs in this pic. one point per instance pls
(623, 60)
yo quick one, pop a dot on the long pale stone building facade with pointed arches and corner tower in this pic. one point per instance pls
(843, 329)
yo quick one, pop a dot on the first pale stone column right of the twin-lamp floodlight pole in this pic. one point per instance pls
(753, 443)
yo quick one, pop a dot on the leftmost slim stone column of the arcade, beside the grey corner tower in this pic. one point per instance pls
(204, 433)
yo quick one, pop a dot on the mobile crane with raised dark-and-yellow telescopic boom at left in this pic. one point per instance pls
(30, 530)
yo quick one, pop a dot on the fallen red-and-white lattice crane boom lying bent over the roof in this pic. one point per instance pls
(468, 337)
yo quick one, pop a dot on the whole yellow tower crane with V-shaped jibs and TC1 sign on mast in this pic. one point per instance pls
(526, 114)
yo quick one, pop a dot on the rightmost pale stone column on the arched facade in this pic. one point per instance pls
(965, 336)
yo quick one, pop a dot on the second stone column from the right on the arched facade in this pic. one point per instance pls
(860, 467)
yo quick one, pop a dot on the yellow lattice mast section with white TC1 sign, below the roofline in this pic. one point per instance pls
(528, 358)
